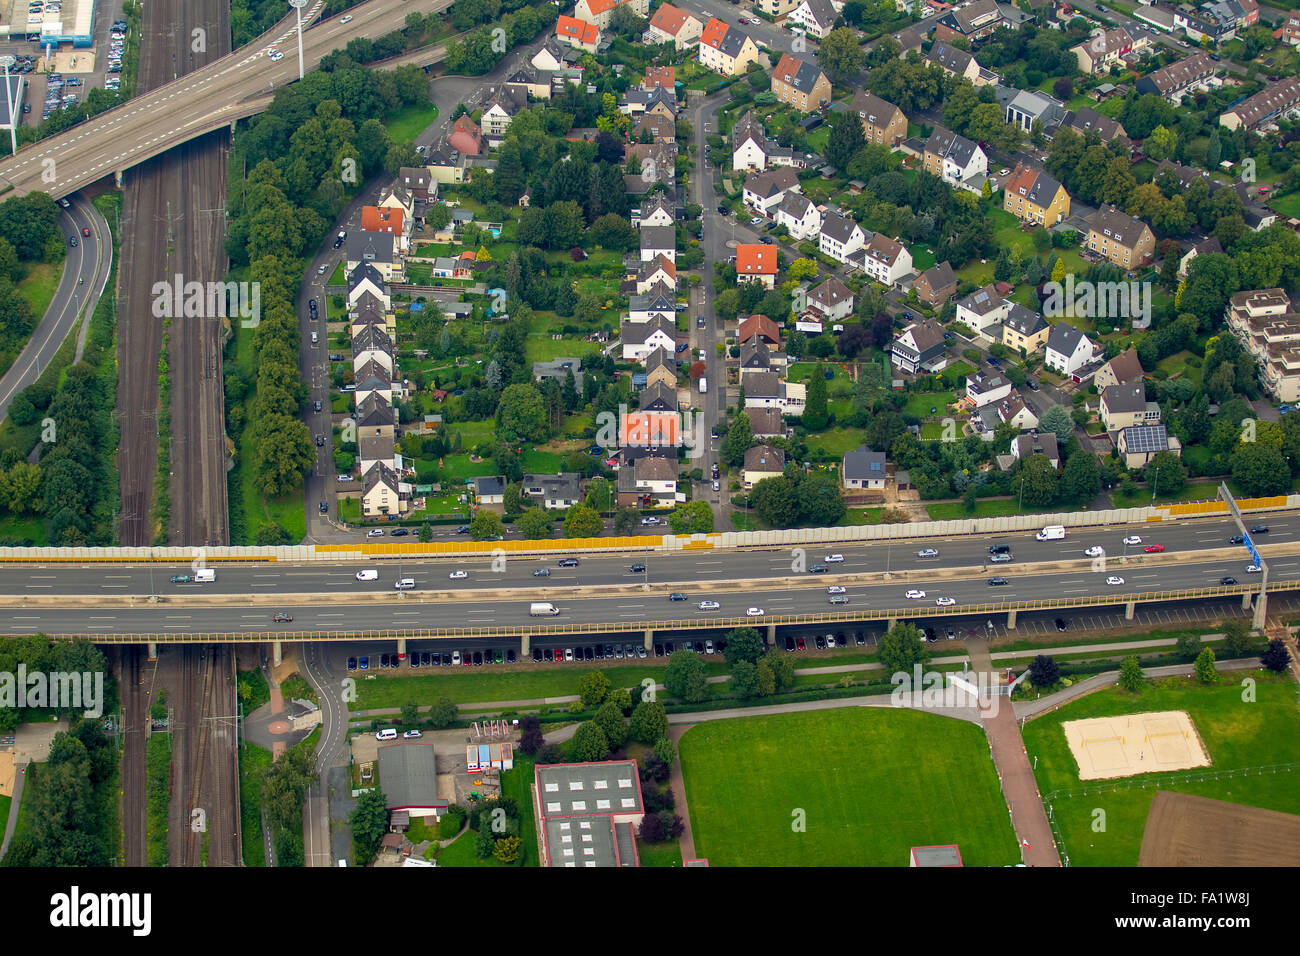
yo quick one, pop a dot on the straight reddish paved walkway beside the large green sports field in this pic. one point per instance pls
(1020, 789)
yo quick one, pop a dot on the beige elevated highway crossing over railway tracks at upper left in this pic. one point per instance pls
(231, 89)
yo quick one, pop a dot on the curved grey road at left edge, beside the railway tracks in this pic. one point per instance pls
(85, 276)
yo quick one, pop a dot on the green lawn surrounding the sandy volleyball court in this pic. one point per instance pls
(1237, 736)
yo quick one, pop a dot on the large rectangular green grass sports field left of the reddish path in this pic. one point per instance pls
(869, 784)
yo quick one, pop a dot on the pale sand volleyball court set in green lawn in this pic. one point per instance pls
(1130, 745)
